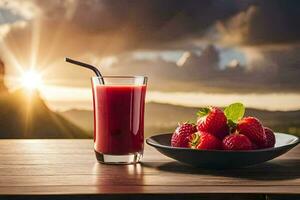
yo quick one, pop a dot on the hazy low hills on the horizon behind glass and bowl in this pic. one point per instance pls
(164, 118)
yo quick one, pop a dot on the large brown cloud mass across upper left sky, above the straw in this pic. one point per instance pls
(76, 28)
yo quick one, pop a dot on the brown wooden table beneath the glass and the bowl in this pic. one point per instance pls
(67, 168)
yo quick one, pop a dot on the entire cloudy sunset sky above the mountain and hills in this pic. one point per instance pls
(213, 50)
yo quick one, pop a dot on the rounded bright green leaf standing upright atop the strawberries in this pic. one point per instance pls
(234, 112)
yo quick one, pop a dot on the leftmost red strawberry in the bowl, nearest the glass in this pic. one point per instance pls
(180, 137)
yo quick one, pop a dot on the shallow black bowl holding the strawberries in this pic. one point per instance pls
(220, 158)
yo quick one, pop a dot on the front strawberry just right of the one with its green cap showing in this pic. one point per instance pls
(236, 141)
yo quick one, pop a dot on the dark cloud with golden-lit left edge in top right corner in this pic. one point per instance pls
(264, 23)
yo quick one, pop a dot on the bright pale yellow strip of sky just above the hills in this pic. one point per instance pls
(64, 98)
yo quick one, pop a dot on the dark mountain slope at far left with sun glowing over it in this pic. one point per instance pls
(27, 116)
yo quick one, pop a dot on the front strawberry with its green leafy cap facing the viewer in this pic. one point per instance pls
(203, 140)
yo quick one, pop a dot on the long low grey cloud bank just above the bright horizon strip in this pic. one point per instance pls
(276, 71)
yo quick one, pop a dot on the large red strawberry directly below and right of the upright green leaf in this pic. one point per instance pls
(253, 129)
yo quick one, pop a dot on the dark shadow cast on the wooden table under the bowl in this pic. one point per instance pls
(273, 170)
